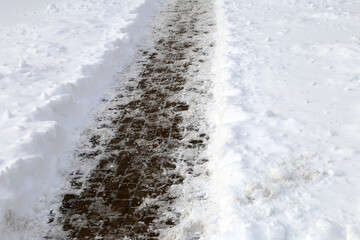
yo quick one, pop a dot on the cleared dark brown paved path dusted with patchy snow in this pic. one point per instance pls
(148, 143)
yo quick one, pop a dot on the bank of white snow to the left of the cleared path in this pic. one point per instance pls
(56, 61)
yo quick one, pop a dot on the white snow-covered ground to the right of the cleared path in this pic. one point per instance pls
(286, 153)
